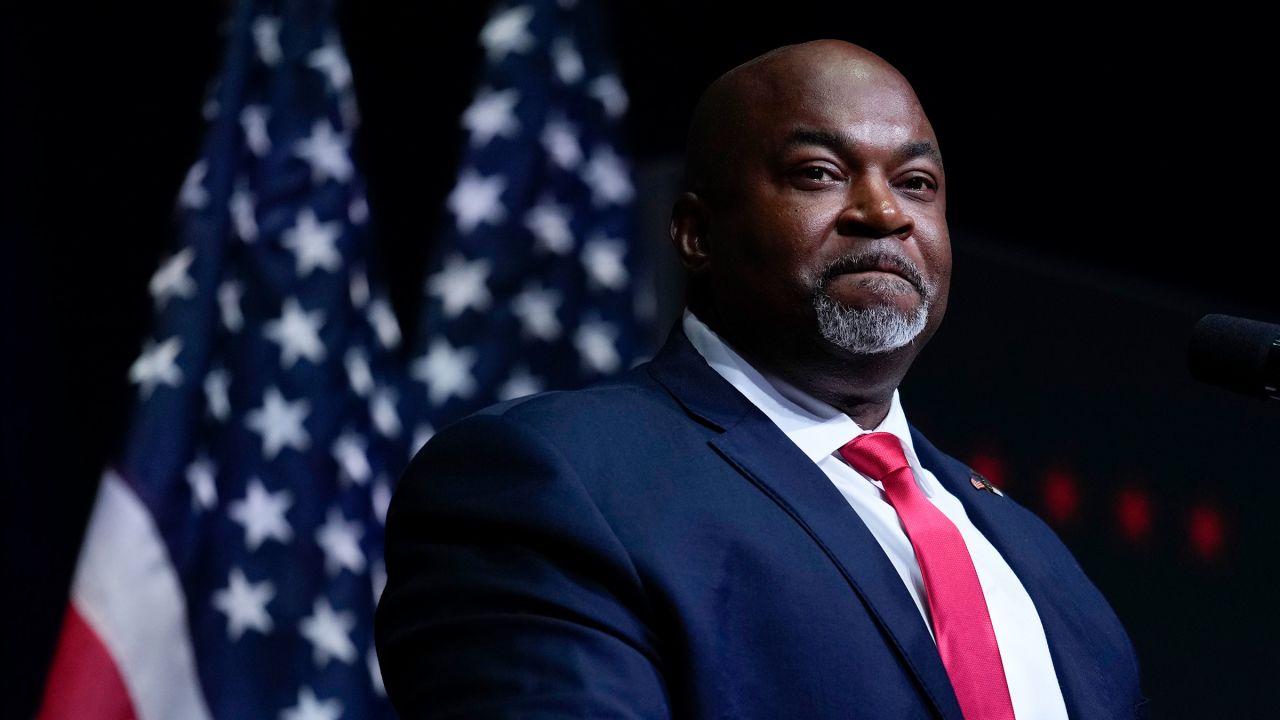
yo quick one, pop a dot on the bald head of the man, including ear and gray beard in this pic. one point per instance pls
(813, 222)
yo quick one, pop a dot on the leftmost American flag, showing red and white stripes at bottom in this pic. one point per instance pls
(234, 559)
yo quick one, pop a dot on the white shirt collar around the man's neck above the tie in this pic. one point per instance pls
(817, 429)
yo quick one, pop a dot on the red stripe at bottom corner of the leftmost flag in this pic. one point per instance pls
(84, 681)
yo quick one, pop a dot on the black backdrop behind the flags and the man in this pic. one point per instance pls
(1110, 183)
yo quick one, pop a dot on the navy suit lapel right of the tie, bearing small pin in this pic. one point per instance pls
(1020, 539)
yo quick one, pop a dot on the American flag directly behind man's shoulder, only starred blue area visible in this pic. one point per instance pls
(536, 284)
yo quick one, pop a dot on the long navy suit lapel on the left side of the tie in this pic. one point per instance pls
(752, 444)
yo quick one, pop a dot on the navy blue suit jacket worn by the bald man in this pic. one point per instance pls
(656, 548)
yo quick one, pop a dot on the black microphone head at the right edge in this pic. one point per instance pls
(1237, 354)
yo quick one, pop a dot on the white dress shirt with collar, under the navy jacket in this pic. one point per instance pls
(820, 430)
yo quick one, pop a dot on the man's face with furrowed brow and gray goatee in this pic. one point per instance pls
(833, 216)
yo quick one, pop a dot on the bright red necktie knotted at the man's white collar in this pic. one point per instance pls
(962, 625)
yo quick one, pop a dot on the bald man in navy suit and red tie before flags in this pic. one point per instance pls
(747, 527)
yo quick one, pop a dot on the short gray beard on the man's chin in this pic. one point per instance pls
(871, 331)
